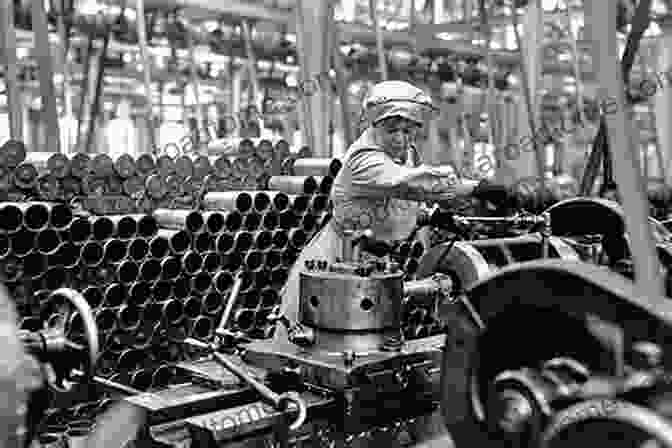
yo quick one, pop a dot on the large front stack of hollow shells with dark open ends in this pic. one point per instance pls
(155, 279)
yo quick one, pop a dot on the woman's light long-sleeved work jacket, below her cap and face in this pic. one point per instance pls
(373, 191)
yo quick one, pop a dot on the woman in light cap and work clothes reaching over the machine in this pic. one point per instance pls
(382, 184)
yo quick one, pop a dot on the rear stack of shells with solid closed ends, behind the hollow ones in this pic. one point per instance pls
(138, 185)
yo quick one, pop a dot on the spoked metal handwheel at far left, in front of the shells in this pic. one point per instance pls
(71, 335)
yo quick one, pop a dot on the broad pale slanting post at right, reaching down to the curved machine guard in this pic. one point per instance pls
(601, 23)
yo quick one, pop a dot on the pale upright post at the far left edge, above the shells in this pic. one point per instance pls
(8, 42)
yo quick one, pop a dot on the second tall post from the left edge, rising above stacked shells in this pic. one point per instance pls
(46, 75)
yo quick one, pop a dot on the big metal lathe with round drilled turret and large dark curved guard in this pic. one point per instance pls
(529, 352)
